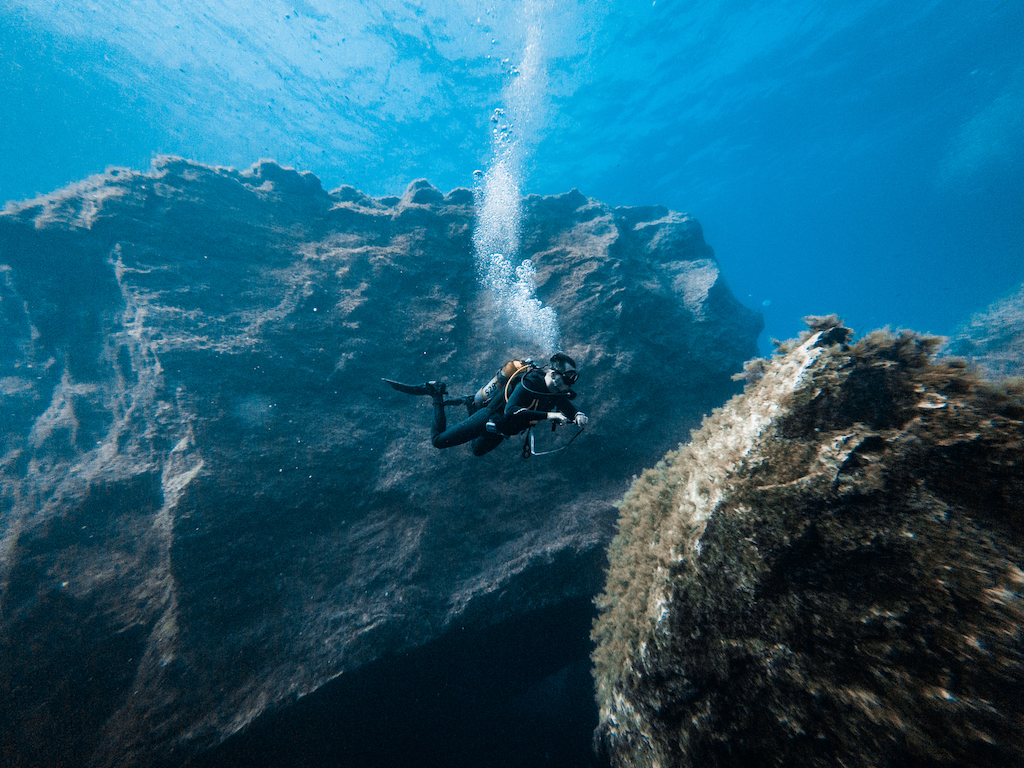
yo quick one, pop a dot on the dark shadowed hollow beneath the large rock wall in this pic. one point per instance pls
(513, 696)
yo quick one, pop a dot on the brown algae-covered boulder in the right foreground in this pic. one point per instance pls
(829, 574)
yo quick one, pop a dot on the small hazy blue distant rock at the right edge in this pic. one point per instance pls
(994, 339)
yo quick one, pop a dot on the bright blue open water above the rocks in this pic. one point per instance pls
(865, 158)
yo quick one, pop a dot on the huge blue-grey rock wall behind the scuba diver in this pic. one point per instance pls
(210, 503)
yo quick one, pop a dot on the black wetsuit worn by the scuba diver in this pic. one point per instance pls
(530, 403)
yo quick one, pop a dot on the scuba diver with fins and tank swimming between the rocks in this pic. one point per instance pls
(521, 396)
